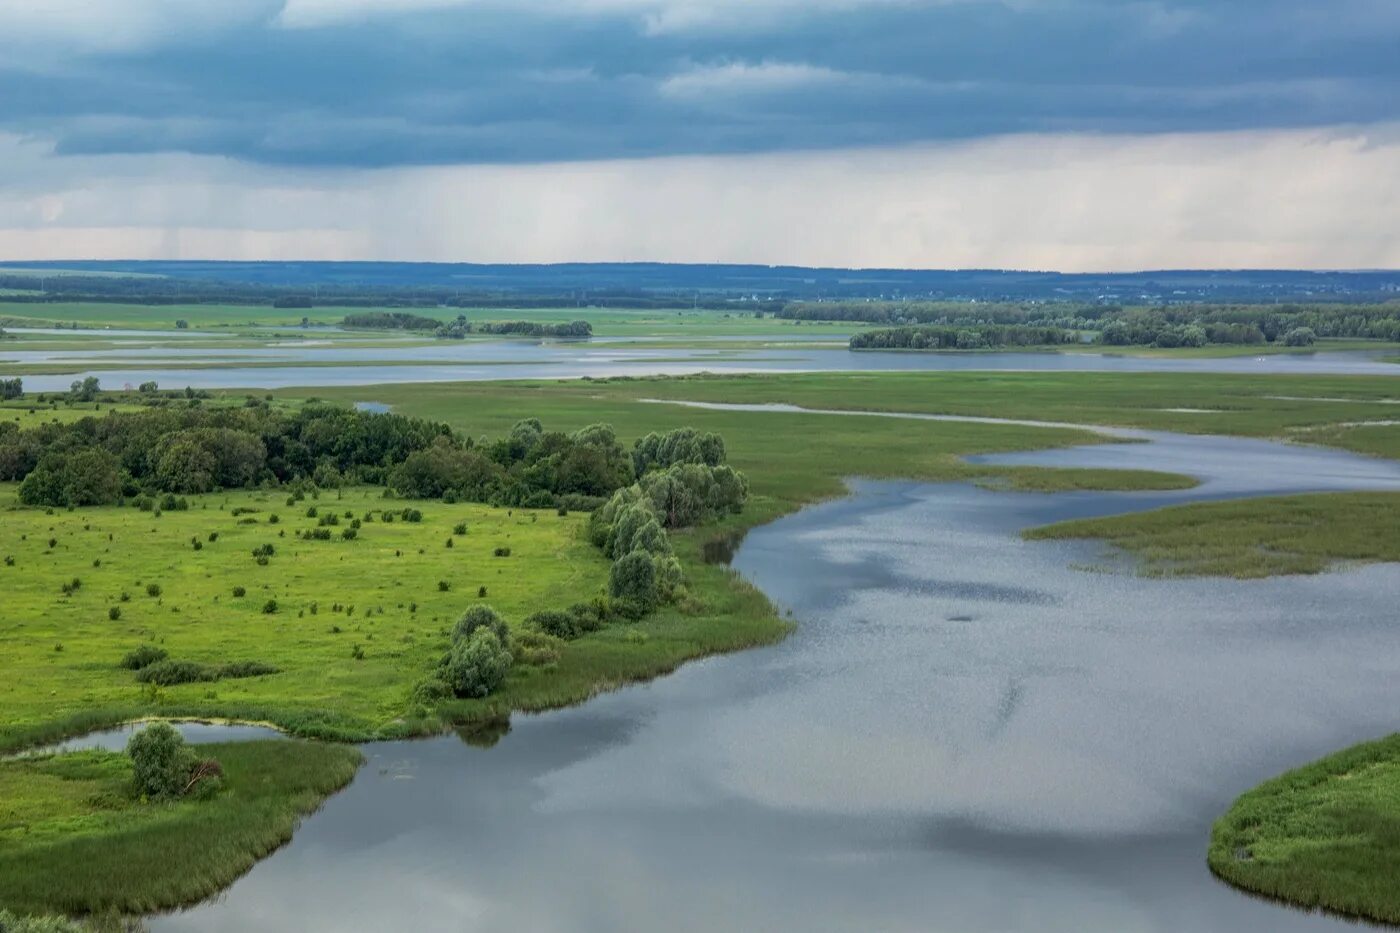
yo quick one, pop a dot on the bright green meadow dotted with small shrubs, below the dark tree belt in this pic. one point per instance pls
(59, 672)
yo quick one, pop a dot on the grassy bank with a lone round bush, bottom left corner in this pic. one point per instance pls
(75, 840)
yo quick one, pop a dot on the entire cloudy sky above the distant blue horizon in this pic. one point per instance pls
(1074, 135)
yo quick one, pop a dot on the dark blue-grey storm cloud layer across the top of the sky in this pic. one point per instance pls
(440, 82)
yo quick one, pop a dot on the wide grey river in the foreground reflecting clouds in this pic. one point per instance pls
(964, 735)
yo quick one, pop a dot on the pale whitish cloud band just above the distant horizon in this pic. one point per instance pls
(1280, 200)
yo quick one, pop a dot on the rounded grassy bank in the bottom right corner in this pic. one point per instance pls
(1326, 836)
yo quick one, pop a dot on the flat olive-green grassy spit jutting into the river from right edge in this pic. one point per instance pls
(1249, 539)
